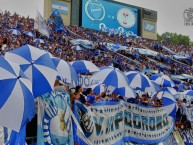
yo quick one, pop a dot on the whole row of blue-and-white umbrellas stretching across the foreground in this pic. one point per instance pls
(28, 72)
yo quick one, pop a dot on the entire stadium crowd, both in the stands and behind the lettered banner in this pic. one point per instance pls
(59, 45)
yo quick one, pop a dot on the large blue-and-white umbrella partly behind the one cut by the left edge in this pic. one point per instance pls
(37, 66)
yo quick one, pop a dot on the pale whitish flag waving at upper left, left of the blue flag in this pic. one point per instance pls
(40, 25)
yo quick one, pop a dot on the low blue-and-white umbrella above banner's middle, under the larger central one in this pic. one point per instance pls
(126, 92)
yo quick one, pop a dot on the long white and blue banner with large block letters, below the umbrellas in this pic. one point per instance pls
(115, 123)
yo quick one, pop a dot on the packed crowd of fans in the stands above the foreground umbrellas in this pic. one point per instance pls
(59, 45)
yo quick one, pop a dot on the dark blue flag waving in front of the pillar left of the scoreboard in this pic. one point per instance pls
(58, 22)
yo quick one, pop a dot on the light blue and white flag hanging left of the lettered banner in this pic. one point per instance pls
(54, 119)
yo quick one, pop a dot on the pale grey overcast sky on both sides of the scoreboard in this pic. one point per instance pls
(170, 12)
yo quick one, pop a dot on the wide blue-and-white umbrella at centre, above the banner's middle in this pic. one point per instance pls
(111, 77)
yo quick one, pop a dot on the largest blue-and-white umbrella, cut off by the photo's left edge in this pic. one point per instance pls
(16, 98)
